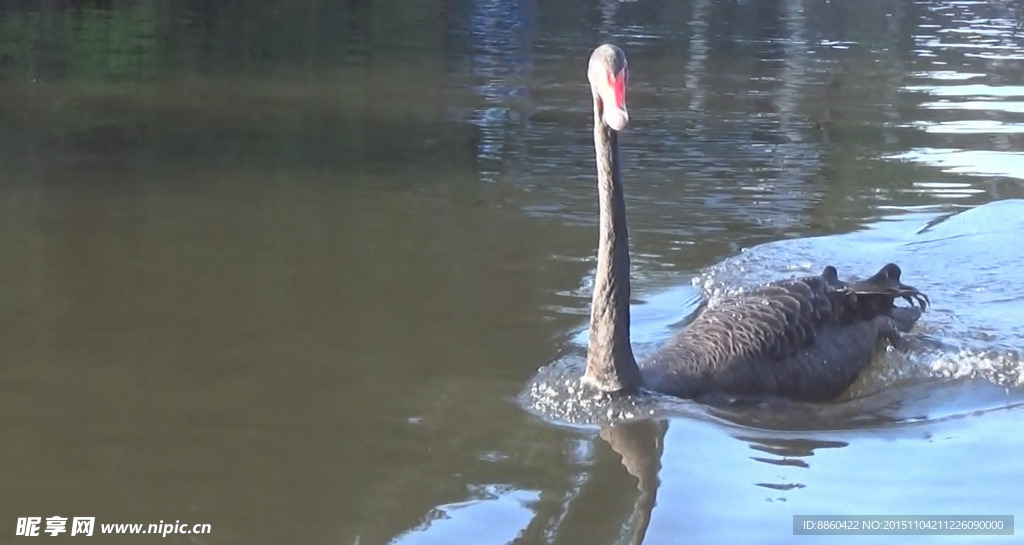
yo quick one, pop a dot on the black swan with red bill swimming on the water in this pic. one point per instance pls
(804, 339)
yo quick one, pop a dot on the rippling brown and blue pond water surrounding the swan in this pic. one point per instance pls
(292, 270)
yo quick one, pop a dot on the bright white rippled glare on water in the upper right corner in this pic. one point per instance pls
(976, 117)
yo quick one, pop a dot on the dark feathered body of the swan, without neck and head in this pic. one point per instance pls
(805, 339)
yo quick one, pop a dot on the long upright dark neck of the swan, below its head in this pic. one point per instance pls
(611, 365)
